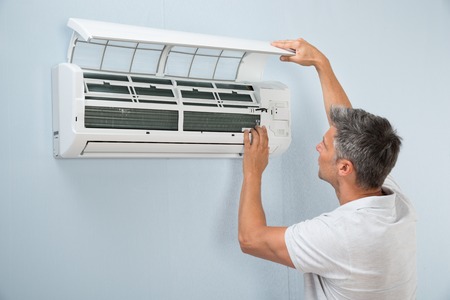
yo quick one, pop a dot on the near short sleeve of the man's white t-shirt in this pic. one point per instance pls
(319, 246)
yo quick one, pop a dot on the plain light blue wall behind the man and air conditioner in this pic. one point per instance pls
(166, 228)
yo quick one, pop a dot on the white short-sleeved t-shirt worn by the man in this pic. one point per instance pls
(364, 249)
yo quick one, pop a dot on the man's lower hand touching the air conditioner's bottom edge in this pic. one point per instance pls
(256, 152)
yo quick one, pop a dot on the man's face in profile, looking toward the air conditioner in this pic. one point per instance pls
(327, 159)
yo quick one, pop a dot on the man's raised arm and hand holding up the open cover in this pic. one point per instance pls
(308, 55)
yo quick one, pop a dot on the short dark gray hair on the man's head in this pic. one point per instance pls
(368, 141)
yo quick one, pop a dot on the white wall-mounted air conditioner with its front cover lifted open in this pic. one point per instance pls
(129, 91)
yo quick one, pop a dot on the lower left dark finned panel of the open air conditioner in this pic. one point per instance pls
(130, 118)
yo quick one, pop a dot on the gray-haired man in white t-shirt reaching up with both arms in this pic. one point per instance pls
(364, 249)
